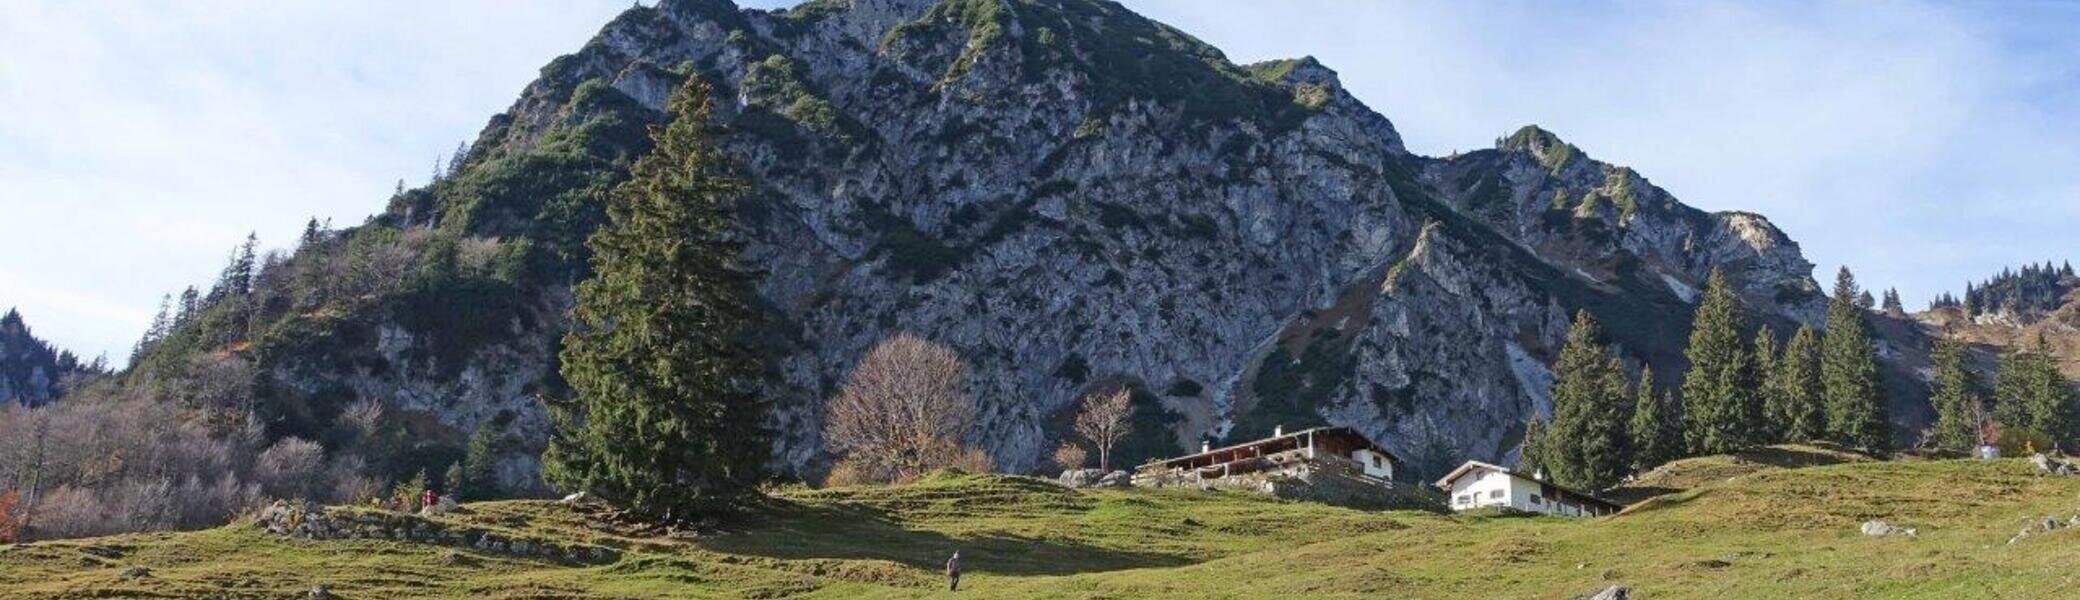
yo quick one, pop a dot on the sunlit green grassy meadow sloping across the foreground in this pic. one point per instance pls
(1769, 532)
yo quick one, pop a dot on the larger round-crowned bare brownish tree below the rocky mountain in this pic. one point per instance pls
(904, 411)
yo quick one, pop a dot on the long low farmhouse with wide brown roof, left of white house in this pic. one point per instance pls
(1324, 464)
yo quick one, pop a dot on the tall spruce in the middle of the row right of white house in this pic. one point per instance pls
(1719, 395)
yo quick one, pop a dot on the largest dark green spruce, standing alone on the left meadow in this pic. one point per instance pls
(665, 414)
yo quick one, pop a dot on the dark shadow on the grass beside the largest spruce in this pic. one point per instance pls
(798, 532)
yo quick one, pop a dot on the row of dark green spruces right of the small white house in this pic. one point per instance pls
(1740, 393)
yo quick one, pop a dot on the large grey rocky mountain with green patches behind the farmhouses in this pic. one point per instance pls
(1062, 191)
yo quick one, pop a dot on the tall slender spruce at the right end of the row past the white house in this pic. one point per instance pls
(1856, 414)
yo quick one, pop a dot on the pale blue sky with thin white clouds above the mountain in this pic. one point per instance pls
(1921, 145)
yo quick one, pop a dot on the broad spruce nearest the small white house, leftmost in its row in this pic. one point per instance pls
(1586, 445)
